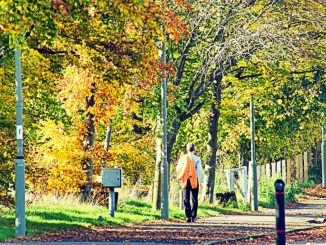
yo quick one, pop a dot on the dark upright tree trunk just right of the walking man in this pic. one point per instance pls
(210, 166)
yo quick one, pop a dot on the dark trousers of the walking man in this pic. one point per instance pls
(191, 212)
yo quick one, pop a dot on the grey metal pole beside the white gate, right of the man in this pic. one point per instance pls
(254, 188)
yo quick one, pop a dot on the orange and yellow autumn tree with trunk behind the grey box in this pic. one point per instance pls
(100, 53)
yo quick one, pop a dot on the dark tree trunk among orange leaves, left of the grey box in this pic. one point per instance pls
(89, 145)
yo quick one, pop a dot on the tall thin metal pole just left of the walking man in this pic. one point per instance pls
(165, 172)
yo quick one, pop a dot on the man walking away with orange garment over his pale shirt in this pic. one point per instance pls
(191, 176)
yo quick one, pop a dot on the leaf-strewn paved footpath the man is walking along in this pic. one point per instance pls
(224, 229)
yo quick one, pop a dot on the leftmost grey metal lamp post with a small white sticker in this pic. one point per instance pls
(20, 163)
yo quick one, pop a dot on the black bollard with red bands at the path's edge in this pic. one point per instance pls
(280, 212)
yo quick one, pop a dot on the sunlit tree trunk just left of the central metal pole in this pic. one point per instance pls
(156, 205)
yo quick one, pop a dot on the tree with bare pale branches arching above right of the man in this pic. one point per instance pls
(263, 32)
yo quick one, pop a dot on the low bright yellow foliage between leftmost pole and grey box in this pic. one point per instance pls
(56, 160)
